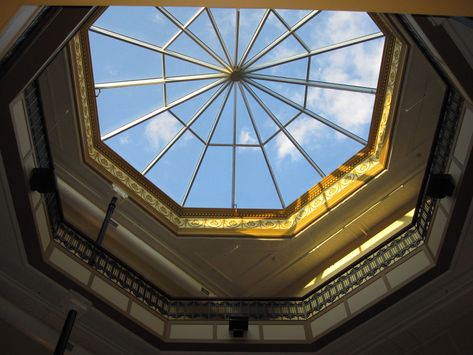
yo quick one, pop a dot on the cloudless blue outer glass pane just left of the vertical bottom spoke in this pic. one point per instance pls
(213, 184)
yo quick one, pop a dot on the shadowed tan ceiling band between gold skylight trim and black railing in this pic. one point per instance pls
(242, 267)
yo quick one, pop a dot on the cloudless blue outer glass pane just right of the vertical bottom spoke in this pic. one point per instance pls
(254, 187)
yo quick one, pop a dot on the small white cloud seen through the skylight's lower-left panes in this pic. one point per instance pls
(160, 130)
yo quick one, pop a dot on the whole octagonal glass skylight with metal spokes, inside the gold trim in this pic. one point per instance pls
(234, 108)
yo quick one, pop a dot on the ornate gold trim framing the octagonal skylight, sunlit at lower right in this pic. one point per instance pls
(243, 222)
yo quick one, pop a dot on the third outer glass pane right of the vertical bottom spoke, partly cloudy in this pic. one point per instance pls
(326, 148)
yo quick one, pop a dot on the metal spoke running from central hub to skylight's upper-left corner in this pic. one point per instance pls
(158, 49)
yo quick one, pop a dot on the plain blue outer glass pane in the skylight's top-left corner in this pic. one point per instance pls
(144, 23)
